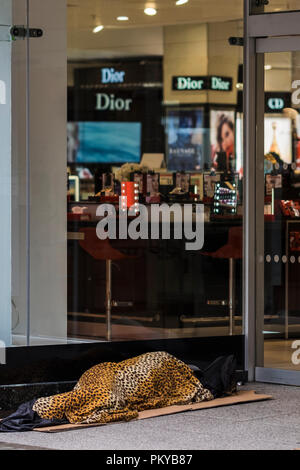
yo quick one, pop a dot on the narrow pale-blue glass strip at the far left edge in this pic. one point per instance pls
(13, 172)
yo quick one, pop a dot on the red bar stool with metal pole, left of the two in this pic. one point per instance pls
(102, 250)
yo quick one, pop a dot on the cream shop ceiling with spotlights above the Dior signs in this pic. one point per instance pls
(119, 39)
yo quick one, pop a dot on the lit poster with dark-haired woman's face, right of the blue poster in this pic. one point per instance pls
(222, 137)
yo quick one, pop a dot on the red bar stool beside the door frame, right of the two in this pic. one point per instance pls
(232, 251)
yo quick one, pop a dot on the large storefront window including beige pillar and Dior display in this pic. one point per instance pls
(143, 107)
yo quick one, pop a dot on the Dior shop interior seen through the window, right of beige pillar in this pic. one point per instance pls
(160, 107)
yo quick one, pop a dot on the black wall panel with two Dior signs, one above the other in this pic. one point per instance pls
(128, 90)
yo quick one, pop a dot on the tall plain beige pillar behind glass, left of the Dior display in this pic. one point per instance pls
(38, 180)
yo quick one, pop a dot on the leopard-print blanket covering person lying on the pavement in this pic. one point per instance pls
(118, 391)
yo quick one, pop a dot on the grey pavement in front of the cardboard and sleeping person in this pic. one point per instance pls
(266, 425)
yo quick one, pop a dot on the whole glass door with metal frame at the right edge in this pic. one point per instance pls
(278, 211)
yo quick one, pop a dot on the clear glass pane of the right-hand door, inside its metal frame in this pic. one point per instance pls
(281, 219)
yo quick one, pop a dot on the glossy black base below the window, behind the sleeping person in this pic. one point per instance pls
(34, 371)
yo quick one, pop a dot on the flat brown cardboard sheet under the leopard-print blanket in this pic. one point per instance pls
(240, 397)
